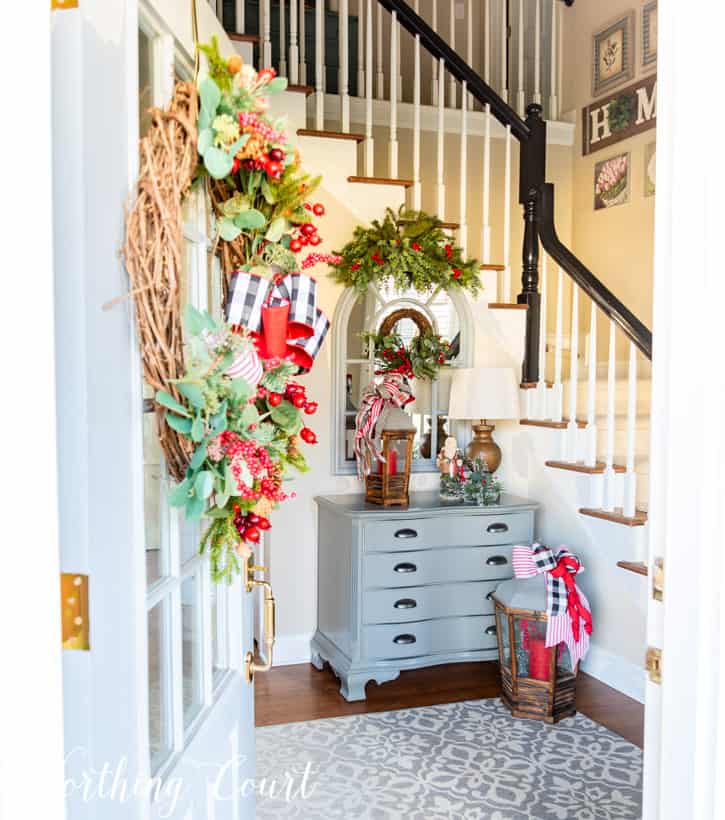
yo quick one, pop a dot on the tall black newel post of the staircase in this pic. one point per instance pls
(531, 177)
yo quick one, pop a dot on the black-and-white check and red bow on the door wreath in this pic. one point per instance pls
(281, 314)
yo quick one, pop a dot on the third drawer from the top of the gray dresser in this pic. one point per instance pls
(395, 606)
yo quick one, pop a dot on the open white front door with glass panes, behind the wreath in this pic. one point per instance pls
(158, 715)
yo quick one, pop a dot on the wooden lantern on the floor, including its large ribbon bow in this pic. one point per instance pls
(538, 676)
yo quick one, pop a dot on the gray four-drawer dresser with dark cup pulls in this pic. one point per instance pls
(406, 588)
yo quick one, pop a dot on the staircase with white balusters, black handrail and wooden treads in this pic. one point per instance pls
(586, 362)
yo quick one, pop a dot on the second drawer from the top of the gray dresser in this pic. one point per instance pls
(444, 566)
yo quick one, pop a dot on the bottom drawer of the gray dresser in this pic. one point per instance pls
(409, 640)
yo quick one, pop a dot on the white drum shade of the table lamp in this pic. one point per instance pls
(484, 393)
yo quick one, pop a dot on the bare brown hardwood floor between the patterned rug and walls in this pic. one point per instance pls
(289, 694)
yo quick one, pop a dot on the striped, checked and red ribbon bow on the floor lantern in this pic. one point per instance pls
(570, 620)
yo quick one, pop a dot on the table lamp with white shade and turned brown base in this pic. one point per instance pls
(484, 393)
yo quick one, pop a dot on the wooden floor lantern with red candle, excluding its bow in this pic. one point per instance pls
(536, 681)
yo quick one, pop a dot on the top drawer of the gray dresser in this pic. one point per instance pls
(458, 531)
